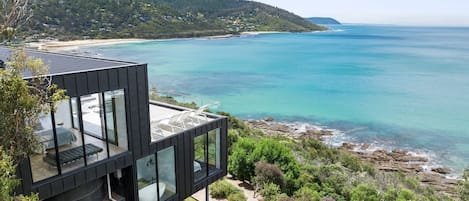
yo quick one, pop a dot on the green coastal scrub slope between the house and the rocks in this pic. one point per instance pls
(308, 170)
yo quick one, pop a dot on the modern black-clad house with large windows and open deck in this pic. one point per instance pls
(108, 141)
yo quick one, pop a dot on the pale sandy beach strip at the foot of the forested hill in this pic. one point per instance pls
(67, 46)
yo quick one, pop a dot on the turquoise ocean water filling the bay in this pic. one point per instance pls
(395, 87)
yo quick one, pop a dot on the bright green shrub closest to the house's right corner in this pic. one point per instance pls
(240, 164)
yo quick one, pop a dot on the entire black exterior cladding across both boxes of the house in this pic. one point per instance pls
(134, 81)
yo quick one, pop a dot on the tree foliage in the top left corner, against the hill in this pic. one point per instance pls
(14, 13)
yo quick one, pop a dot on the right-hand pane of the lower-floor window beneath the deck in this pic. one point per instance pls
(166, 173)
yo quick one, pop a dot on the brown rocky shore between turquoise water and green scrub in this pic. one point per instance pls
(386, 161)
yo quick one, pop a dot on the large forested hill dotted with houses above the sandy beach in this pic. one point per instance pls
(78, 19)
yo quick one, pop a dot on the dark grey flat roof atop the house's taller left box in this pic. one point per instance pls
(60, 64)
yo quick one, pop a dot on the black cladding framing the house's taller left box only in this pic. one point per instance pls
(133, 79)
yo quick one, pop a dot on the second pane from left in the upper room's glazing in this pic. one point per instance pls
(69, 139)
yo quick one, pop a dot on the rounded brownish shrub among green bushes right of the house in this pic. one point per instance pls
(268, 173)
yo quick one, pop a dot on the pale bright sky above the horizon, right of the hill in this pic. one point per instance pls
(396, 12)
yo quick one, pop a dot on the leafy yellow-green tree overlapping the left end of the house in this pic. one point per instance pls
(21, 103)
